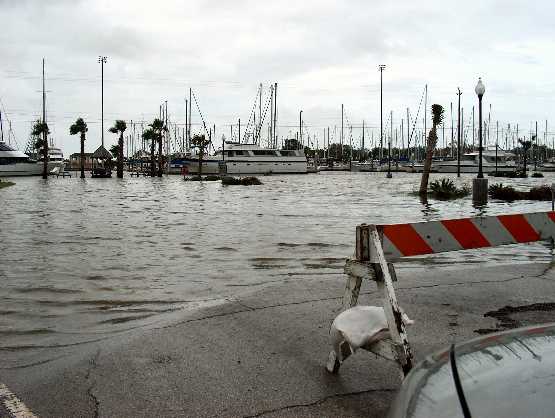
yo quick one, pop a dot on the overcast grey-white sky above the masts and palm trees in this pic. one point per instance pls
(322, 53)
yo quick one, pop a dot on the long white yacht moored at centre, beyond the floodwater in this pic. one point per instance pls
(238, 159)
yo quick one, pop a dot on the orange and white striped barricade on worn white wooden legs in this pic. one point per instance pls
(378, 245)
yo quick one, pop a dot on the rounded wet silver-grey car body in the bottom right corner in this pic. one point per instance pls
(508, 374)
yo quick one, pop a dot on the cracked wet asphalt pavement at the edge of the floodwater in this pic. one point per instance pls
(264, 355)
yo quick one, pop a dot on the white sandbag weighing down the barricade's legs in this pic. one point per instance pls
(360, 326)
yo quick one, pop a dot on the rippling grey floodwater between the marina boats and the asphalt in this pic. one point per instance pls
(83, 258)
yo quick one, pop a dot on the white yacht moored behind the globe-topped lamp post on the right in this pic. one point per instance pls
(469, 163)
